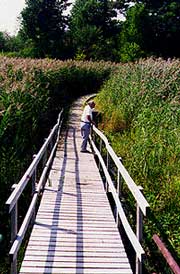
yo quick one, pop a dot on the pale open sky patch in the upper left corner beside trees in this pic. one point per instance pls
(9, 12)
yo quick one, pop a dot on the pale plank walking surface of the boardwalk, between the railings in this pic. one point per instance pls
(74, 231)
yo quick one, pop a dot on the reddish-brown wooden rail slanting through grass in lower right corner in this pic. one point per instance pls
(167, 255)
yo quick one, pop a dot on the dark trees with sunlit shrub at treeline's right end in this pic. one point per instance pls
(153, 25)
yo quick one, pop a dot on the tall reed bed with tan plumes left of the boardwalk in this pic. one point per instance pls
(32, 93)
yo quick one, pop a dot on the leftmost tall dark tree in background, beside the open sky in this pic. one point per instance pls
(44, 23)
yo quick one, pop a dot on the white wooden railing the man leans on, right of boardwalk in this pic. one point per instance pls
(141, 203)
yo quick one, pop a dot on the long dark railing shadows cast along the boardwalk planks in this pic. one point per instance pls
(54, 227)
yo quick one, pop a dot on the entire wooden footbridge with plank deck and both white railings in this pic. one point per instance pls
(75, 230)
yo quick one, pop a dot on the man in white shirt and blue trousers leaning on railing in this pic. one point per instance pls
(86, 121)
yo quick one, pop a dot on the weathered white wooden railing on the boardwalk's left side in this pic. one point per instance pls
(45, 154)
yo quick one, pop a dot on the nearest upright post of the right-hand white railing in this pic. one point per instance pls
(139, 233)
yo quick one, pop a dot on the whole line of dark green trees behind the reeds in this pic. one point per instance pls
(93, 30)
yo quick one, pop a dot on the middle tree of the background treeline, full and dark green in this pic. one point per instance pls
(93, 29)
